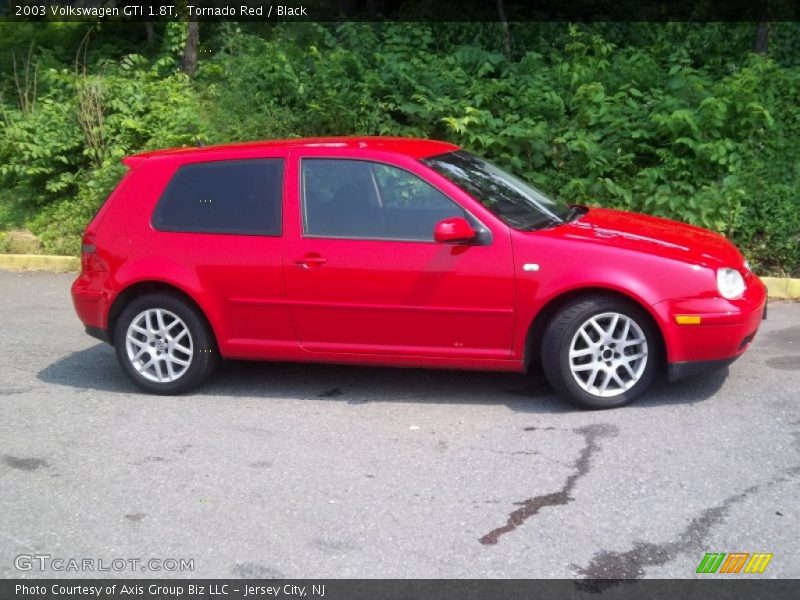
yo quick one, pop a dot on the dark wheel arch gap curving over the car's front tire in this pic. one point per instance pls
(535, 333)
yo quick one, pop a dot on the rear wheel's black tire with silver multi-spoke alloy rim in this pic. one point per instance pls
(204, 355)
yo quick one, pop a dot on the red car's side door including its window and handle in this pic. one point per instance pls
(365, 275)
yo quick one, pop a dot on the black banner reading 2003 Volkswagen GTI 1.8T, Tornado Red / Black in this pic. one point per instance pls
(401, 10)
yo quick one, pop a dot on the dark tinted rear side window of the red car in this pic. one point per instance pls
(237, 196)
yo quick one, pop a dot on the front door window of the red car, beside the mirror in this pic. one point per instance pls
(362, 199)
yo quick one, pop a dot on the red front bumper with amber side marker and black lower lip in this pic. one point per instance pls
(726, 329)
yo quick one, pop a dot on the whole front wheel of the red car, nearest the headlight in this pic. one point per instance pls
(600, 352)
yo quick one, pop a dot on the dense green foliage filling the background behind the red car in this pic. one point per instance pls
(678, 119)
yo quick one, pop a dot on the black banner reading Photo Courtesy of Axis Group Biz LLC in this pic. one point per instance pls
(405, 589)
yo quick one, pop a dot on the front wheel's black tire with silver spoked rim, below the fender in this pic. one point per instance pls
(558, 338)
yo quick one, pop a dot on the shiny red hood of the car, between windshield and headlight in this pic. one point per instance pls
(653, 235)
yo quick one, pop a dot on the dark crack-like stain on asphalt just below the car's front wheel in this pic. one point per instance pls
(528, 508)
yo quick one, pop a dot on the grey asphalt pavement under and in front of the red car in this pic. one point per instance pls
(289, 470)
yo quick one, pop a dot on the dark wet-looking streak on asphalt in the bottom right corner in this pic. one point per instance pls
(606, 569)
